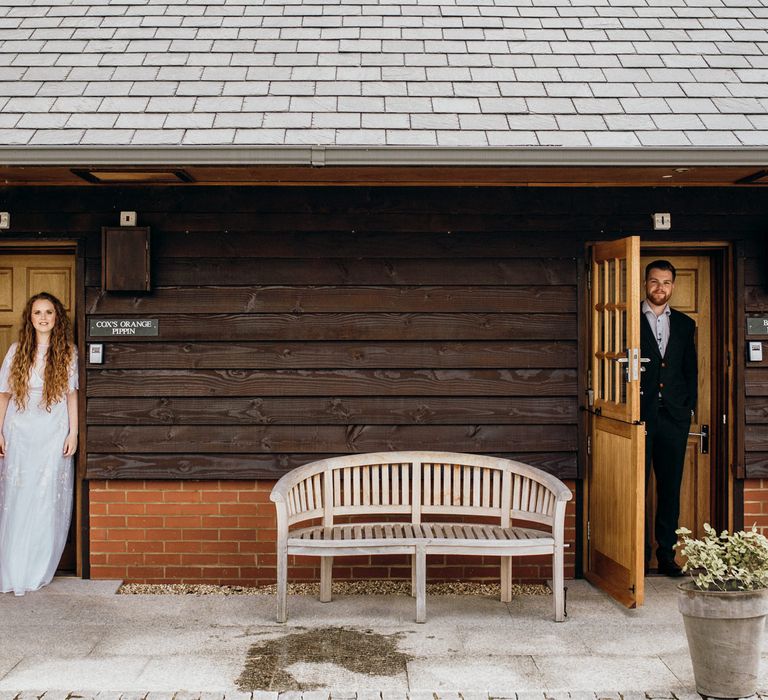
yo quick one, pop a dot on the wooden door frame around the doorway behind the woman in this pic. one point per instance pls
(76, 247)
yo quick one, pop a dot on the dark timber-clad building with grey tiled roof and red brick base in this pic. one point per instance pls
(288, 230)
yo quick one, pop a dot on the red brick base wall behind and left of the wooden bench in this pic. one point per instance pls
(224, 532)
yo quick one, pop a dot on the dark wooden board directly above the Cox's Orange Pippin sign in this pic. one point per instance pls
(350, 298)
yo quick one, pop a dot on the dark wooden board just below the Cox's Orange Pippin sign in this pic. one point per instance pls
(341, 354)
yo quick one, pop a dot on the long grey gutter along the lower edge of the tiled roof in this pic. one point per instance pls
(330, 156)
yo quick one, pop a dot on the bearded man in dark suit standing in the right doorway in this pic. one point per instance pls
(668, 399)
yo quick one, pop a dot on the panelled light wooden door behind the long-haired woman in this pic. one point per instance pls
(21, 276)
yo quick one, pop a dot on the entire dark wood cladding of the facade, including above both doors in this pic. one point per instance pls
(413, 315)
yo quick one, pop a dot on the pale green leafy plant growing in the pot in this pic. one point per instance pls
(725, 562)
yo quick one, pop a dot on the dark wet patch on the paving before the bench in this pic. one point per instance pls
(365, 652)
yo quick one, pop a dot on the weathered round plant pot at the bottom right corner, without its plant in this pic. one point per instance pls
(725, 635)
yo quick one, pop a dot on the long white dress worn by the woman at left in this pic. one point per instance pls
(35, 484)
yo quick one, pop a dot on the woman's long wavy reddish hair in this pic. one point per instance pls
(57, 360)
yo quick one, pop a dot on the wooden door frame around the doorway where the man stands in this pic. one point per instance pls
(727, 309)
